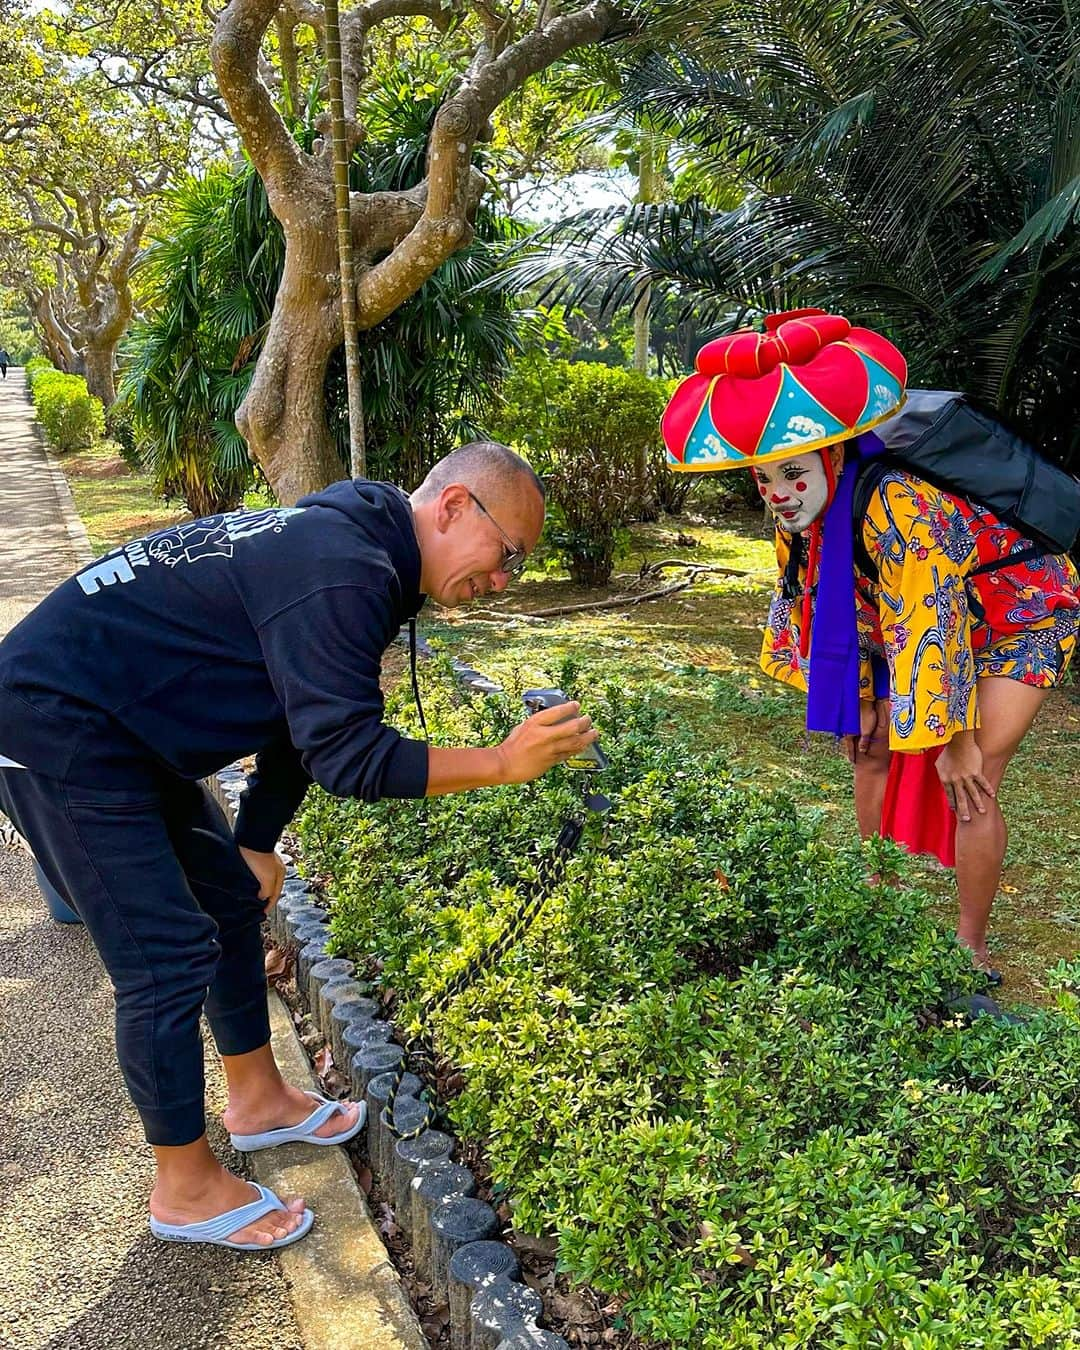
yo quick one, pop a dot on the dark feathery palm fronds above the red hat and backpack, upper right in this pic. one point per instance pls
(915, 164)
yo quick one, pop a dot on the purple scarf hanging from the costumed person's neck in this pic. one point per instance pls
(832, 703)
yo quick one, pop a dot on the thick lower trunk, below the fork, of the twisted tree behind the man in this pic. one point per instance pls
(284, 415)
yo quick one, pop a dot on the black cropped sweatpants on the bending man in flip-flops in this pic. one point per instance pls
(175, 913)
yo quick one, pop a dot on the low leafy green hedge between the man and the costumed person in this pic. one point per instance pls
(723, 1066)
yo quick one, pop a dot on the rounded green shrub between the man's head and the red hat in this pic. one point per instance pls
(585, 429)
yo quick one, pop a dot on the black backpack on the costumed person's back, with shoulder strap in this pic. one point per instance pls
(944, 439)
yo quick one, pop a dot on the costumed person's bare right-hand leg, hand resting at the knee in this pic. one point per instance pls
(1006, 712)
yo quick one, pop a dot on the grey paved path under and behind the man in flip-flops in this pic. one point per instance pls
(79, 1270)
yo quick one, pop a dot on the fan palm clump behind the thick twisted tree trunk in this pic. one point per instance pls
(210, 280)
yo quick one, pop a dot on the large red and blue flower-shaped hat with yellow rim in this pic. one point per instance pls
(808, 381)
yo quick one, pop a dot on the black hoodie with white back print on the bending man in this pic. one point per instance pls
(238, 634)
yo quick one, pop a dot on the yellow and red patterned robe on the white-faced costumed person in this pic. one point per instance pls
(928, 624)
